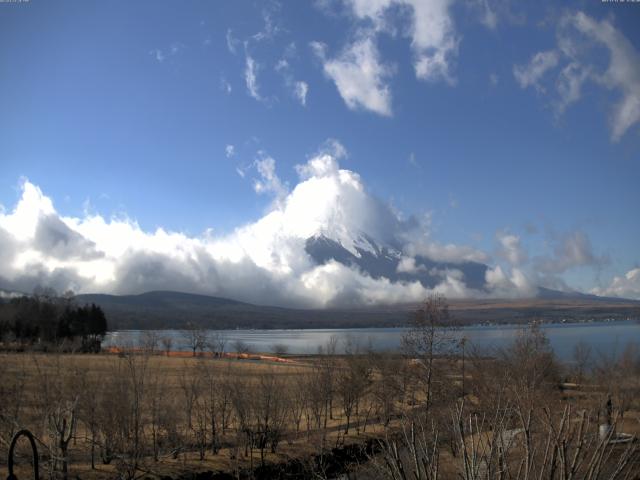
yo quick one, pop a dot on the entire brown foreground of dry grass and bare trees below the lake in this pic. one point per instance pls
(142, 414)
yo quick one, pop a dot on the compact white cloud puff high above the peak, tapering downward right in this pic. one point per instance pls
(359, 75)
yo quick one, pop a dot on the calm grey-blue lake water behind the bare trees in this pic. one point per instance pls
(604, 337)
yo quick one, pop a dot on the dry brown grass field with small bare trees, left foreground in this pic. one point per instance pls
(179, 386)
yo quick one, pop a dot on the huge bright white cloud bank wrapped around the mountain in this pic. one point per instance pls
(264, 261)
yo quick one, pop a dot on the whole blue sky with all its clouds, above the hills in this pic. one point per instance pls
(196, 145)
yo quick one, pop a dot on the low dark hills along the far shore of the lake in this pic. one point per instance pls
(166, 309)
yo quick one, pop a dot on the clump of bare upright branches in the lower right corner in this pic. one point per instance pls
(560, 446)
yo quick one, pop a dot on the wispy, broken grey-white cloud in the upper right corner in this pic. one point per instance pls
(580, 39)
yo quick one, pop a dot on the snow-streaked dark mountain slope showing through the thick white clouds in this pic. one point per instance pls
(383, 261)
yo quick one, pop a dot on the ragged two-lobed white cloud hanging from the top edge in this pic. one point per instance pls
(359, 72)
